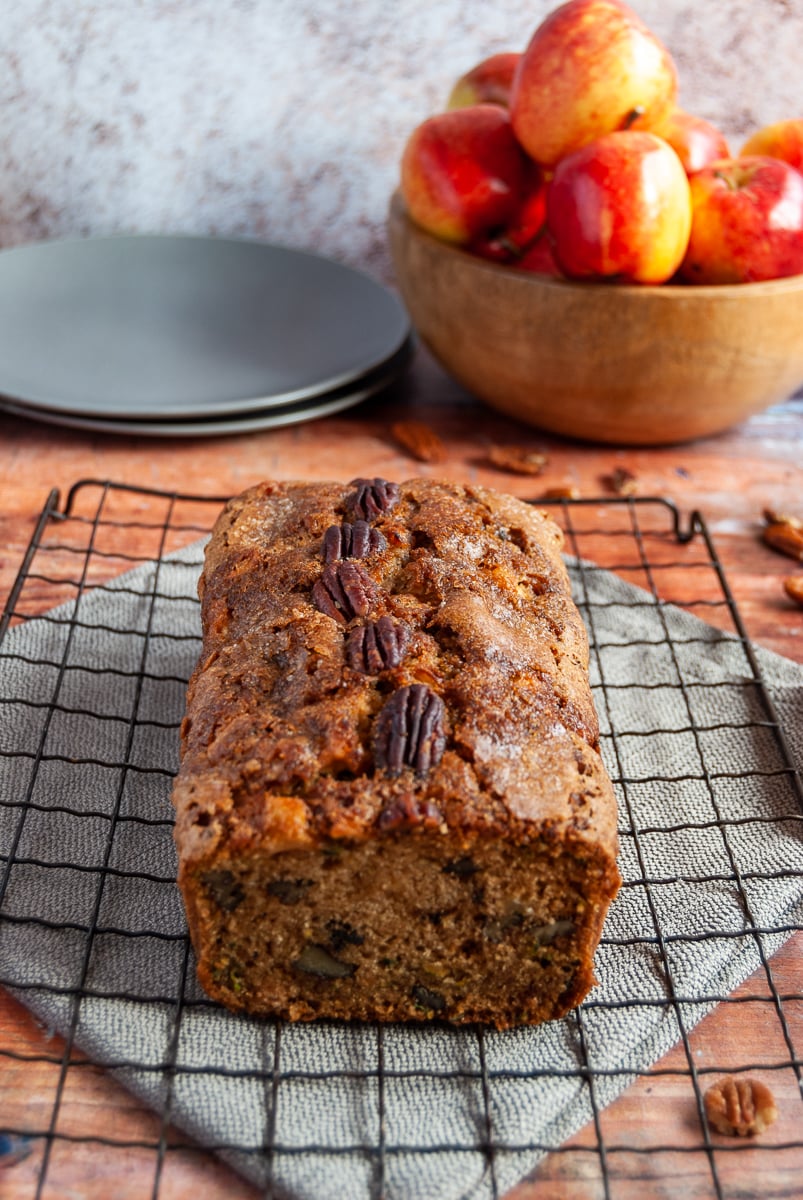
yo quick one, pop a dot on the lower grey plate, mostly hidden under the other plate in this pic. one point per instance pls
(268, 419)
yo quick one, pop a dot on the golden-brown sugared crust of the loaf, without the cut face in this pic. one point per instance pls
(385, 665)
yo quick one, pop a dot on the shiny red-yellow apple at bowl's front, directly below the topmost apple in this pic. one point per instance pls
(620, 208)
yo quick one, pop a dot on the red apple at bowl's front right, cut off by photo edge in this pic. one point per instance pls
(747, 223)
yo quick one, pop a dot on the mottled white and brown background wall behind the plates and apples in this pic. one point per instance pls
(285, 119)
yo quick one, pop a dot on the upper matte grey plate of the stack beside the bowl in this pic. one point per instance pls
(164, 327)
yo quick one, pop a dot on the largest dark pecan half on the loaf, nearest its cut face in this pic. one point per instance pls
(410, 731)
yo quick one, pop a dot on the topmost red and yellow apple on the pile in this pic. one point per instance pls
(590, 69)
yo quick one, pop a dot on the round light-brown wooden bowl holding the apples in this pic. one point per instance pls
(602, 362)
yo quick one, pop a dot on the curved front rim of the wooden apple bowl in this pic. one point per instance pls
(398, 209)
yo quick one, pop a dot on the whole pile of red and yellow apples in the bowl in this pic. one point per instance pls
(574, 159)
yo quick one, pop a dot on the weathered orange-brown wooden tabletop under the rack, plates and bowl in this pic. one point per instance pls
(730, 479)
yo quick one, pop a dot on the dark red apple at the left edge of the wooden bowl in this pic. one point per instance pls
(463, 172)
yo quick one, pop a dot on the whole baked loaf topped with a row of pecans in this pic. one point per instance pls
(391, 803)
